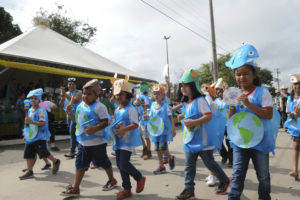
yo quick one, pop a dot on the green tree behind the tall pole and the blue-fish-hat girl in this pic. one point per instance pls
(227, 74)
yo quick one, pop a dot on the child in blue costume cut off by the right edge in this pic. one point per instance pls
(293, 111)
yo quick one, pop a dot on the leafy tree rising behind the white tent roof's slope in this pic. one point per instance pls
(78, 31)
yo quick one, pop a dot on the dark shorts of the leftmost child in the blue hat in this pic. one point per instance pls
(38, 147)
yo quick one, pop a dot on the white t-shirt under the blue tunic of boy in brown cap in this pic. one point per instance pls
(101, 111)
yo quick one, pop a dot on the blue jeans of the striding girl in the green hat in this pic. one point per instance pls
(209, 162)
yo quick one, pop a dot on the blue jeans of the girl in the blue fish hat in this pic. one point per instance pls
(241, 158)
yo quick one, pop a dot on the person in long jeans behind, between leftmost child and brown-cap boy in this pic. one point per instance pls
(64, 102)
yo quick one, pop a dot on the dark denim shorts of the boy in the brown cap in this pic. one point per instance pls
(97, 154)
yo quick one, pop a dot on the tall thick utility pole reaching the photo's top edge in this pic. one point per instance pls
(213, 42)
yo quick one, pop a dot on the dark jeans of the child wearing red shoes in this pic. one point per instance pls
(126, 168)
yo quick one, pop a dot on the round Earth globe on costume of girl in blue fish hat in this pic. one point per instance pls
(245, 129)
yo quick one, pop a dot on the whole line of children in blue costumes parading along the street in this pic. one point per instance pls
(136, 122)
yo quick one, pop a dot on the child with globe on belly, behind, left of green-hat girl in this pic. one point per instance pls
(161, 109)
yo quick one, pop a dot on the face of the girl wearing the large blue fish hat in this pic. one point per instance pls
(244, 76)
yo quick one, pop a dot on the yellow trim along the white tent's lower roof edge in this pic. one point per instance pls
(51, 70)
